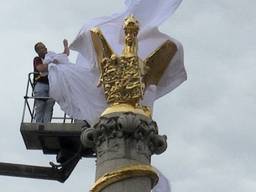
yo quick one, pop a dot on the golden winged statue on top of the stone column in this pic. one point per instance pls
(125, 78)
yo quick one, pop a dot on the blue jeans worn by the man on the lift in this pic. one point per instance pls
(43, 107)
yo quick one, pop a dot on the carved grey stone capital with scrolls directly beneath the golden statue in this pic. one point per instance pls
(117, 129)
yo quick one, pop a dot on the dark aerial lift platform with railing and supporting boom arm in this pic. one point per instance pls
(61, 137)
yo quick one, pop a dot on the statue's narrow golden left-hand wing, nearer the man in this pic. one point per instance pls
(102, 48)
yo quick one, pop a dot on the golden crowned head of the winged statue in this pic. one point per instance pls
(131, 29)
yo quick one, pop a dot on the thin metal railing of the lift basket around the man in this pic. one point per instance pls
(29, 102)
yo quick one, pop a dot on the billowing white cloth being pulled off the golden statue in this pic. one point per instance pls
(74, 86)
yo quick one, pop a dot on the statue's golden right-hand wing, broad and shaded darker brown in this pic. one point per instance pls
(158, 61)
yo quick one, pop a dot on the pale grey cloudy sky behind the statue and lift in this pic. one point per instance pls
(210, 119)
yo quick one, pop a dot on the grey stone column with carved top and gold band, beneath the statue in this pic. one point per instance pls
(124, 143)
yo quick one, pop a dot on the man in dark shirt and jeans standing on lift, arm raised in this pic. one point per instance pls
(43, 104)
